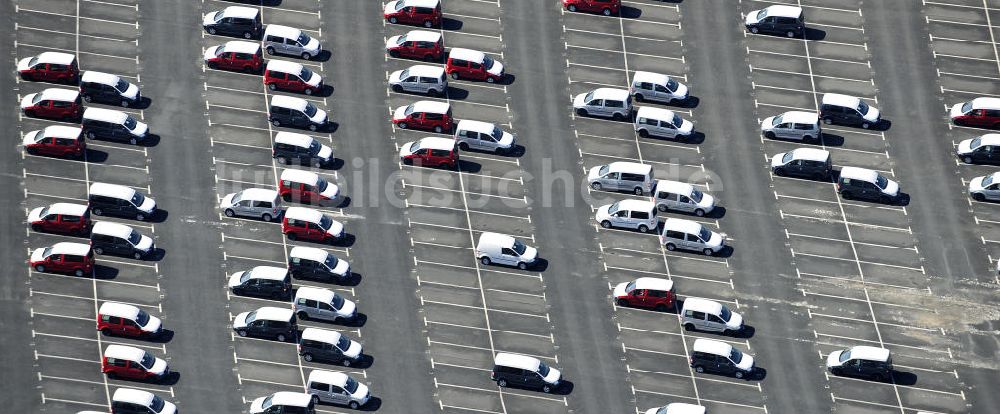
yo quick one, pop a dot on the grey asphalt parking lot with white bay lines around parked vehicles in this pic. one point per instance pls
(810, 271)
